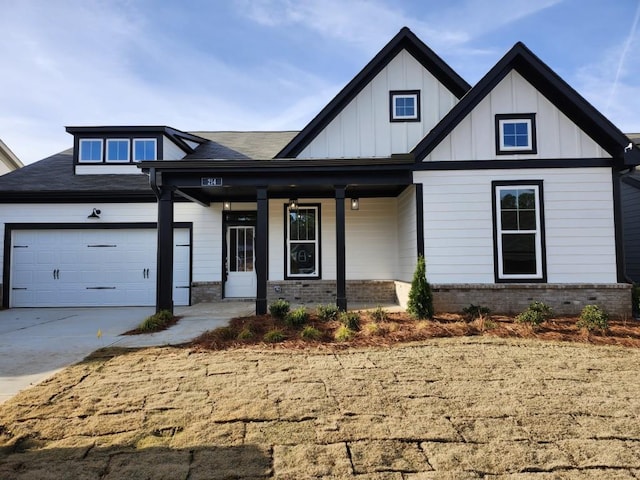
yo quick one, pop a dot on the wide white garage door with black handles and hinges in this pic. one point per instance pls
(110, 267)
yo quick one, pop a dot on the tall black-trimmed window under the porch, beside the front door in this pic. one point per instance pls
(303, 242)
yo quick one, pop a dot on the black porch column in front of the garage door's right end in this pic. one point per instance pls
(164, 274)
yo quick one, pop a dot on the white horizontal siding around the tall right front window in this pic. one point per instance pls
(578, 210)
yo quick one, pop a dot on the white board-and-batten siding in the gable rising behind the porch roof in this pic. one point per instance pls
(363, 129)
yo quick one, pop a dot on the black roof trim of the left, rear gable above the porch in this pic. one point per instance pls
(405, 39)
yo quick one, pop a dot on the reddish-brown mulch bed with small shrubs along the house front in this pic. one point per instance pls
(400, 327)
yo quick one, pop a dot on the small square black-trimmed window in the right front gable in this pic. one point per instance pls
(515, 133)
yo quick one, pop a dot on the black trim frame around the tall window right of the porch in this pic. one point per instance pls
(494, 213)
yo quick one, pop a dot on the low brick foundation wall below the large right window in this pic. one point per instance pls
(615, 299)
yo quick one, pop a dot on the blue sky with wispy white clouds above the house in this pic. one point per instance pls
(274, 64)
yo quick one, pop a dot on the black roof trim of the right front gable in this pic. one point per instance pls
(547, 82)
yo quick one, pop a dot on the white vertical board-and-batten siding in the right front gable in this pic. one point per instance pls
(557, 136)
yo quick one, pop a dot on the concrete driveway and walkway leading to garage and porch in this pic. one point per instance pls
(35, 343)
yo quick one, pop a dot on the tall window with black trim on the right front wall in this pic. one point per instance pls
(518, 231)
